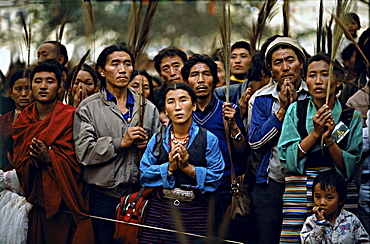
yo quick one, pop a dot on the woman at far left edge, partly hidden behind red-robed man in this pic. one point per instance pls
(22, 96)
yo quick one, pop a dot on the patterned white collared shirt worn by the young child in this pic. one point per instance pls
(347, 229)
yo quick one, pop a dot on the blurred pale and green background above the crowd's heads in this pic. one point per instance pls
(192, 25)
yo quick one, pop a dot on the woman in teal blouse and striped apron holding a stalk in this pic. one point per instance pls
(307, 144)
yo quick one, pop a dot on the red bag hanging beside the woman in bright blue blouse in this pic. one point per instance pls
(131, 209)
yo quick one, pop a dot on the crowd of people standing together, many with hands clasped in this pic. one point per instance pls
(80, 140)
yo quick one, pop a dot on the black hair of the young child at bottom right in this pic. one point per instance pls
(329, 179)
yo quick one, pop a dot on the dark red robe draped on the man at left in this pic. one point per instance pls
(58, 185)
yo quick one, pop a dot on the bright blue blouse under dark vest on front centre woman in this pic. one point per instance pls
(208, 178)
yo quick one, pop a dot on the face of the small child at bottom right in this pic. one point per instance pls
(327, 200)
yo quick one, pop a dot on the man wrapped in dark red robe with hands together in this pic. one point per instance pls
(48, 171)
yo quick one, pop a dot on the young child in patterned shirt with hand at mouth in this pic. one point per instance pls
(330, 223)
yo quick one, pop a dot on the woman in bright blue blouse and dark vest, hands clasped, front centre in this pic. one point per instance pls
(184, 158)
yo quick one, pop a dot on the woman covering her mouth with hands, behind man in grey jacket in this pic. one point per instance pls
(84, 85)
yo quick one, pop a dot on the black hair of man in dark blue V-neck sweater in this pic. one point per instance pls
(197, 58)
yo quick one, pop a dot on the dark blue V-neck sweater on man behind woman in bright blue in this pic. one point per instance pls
(211, 119)
